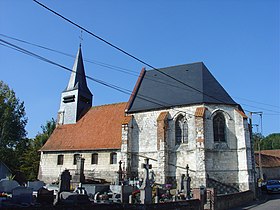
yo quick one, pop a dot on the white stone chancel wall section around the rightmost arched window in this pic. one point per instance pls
(229, 162)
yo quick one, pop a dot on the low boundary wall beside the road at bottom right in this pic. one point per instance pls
(233, 200)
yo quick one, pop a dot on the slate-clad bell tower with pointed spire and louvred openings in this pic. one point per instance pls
(76, 99)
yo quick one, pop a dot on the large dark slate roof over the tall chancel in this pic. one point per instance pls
(157, 91)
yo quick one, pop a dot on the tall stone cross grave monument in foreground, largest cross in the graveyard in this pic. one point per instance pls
(146, 189)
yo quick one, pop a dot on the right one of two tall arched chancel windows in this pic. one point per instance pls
(219, 127)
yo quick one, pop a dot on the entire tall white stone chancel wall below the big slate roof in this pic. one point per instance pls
(227, 162)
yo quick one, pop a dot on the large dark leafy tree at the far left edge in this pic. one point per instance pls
(12, 126)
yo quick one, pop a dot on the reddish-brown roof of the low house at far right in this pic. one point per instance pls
(269, 158)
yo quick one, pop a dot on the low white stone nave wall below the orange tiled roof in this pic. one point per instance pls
(49, 170)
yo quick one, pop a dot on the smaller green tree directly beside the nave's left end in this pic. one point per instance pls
(31, 158)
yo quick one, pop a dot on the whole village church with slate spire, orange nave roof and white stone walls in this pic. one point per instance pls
(176, 116)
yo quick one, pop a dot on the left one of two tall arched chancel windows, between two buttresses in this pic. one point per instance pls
(181, 130)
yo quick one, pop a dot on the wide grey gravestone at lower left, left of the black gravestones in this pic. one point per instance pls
(22, 195)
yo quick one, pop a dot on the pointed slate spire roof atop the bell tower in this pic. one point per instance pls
(78, 77)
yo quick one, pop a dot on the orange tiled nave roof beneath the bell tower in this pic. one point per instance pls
(99, 128)
